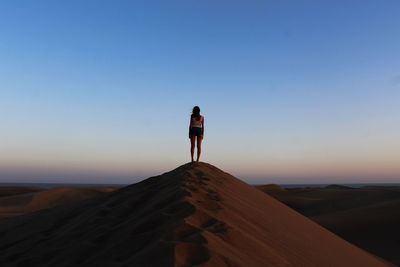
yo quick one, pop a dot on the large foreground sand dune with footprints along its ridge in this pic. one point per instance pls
(195, 215)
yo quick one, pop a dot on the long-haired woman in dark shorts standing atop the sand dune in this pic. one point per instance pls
(196, 131)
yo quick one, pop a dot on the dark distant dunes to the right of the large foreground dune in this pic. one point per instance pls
(368, 217)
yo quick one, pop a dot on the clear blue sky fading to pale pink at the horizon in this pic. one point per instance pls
(292, 91)
